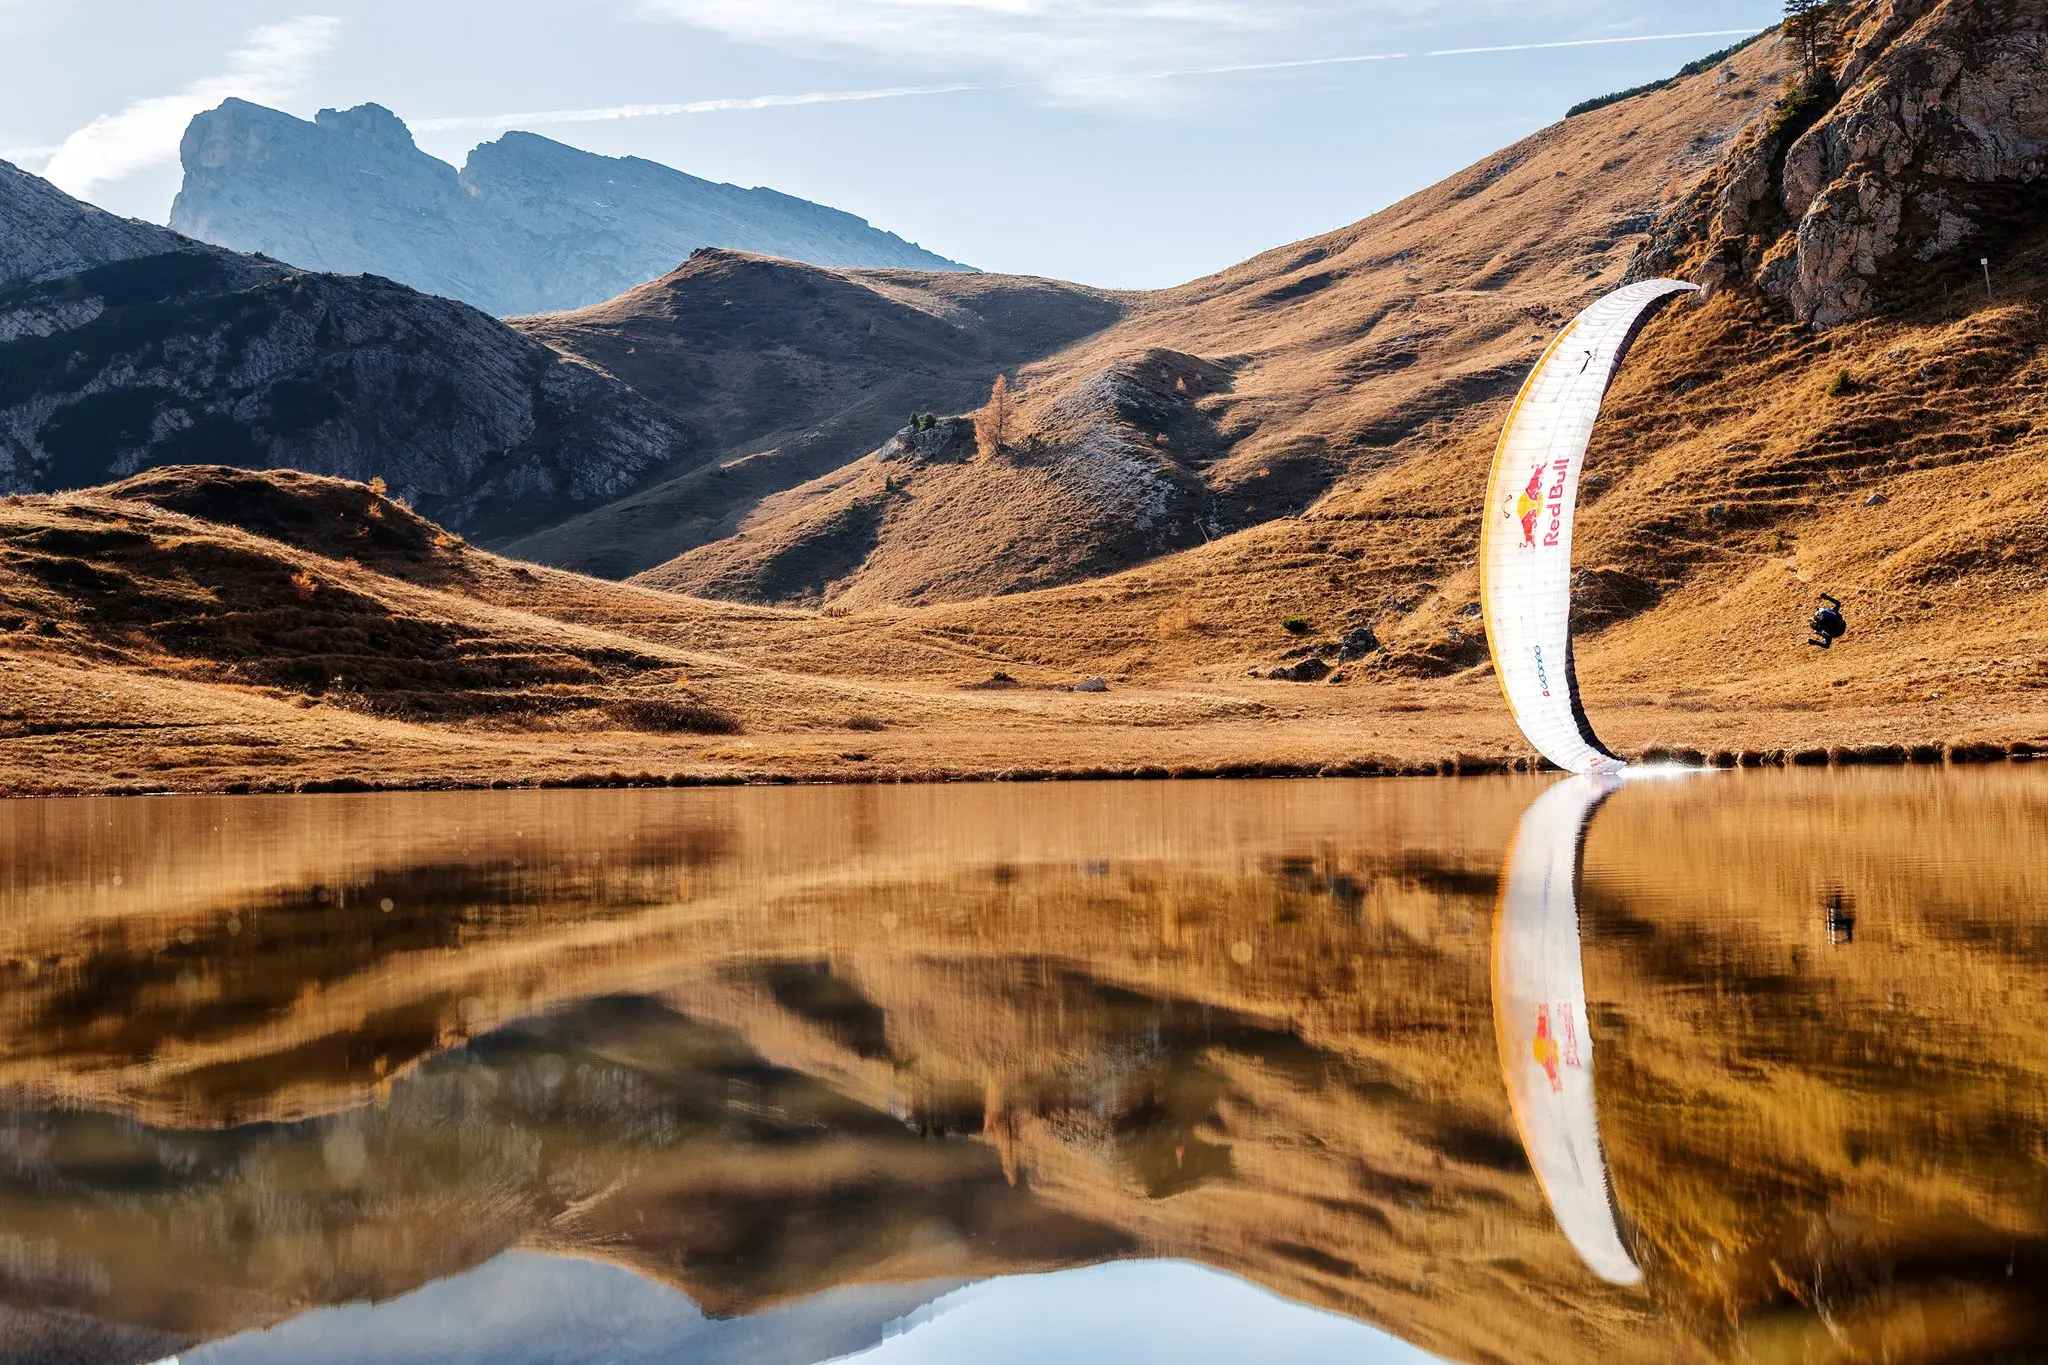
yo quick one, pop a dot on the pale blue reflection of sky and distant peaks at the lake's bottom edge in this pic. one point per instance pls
(525, 1309)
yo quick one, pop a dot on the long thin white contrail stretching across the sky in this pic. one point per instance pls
(1062, 83)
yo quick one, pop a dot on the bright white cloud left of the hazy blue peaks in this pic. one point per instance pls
(267, 69)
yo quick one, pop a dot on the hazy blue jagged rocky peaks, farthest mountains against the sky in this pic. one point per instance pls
(527, 226)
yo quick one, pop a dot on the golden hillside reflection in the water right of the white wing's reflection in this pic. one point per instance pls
(1859, 1168)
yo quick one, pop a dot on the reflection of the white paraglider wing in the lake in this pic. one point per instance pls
(1539, 1018)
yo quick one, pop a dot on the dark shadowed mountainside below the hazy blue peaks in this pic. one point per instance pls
(126, 347)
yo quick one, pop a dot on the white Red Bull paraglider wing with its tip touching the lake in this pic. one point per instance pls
(1525, 541)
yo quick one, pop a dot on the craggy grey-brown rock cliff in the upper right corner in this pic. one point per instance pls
(1926, 134)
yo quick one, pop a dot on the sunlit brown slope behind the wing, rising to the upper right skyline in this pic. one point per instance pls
(1254, 394)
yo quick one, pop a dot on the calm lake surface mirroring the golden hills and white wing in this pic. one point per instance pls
(1740, 1067)
